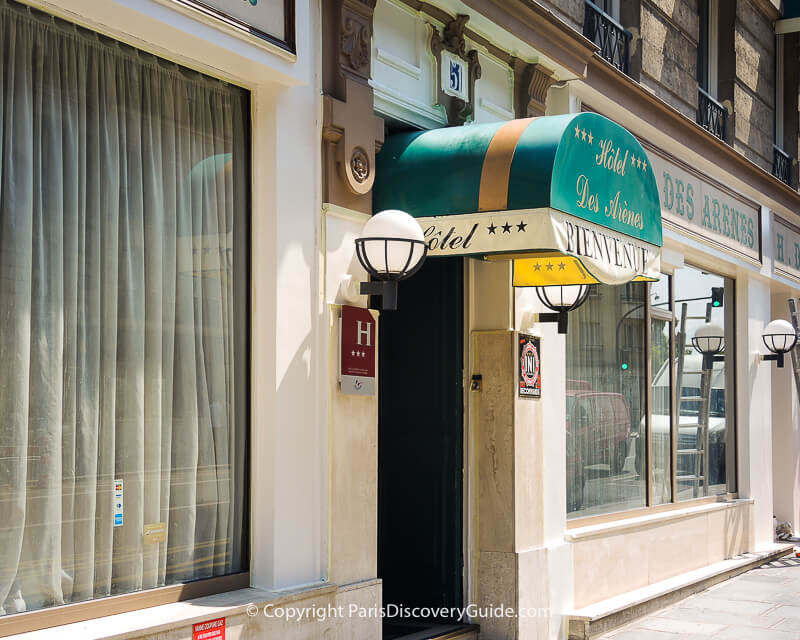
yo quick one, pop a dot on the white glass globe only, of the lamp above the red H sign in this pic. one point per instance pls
(386, 247)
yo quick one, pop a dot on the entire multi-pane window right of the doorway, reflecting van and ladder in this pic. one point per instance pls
(646, 424)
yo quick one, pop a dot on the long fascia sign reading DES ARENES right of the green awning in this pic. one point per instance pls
(700, 208)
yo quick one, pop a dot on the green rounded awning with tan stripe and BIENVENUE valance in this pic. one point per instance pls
(577, 186)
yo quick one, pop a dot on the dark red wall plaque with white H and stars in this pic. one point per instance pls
(357, 337)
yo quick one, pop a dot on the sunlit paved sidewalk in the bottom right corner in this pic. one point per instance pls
(761, 604)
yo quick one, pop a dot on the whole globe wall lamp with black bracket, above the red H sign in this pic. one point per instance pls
(391, 248)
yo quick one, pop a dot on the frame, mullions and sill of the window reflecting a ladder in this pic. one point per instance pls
(731, 438)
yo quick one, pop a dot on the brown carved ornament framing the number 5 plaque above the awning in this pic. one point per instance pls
(452, 39)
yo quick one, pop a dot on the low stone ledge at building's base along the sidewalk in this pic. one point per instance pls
(607, 615)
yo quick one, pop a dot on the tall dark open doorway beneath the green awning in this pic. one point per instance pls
(420, 441)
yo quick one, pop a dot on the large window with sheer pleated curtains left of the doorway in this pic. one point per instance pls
(124, 296)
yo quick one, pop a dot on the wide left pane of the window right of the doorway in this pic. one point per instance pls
(606, 404)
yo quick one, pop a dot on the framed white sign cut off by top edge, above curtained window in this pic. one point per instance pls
(272, 20)
